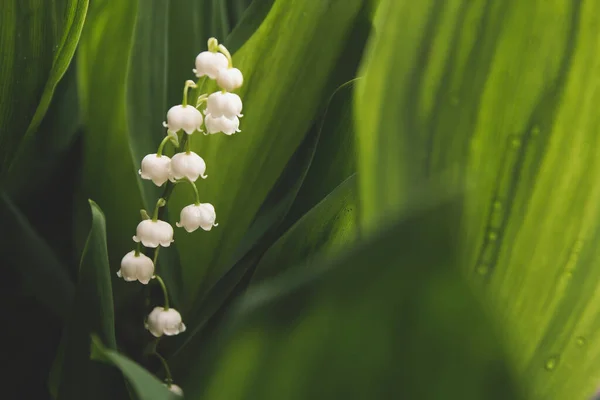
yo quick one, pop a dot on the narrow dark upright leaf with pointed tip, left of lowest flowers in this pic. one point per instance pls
(92, 313)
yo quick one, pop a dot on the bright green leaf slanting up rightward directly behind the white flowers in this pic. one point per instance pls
(277, 114)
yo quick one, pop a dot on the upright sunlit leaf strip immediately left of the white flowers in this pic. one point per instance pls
(109, 172)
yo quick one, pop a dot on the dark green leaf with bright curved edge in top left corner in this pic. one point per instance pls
(38, 40)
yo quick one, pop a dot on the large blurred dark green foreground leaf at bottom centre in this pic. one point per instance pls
(388, 319)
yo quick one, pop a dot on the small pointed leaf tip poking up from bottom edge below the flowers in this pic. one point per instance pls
(145, 385)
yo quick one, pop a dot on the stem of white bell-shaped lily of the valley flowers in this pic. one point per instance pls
(221, 114)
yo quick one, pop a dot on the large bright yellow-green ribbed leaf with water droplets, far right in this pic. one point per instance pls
(502, 97)
